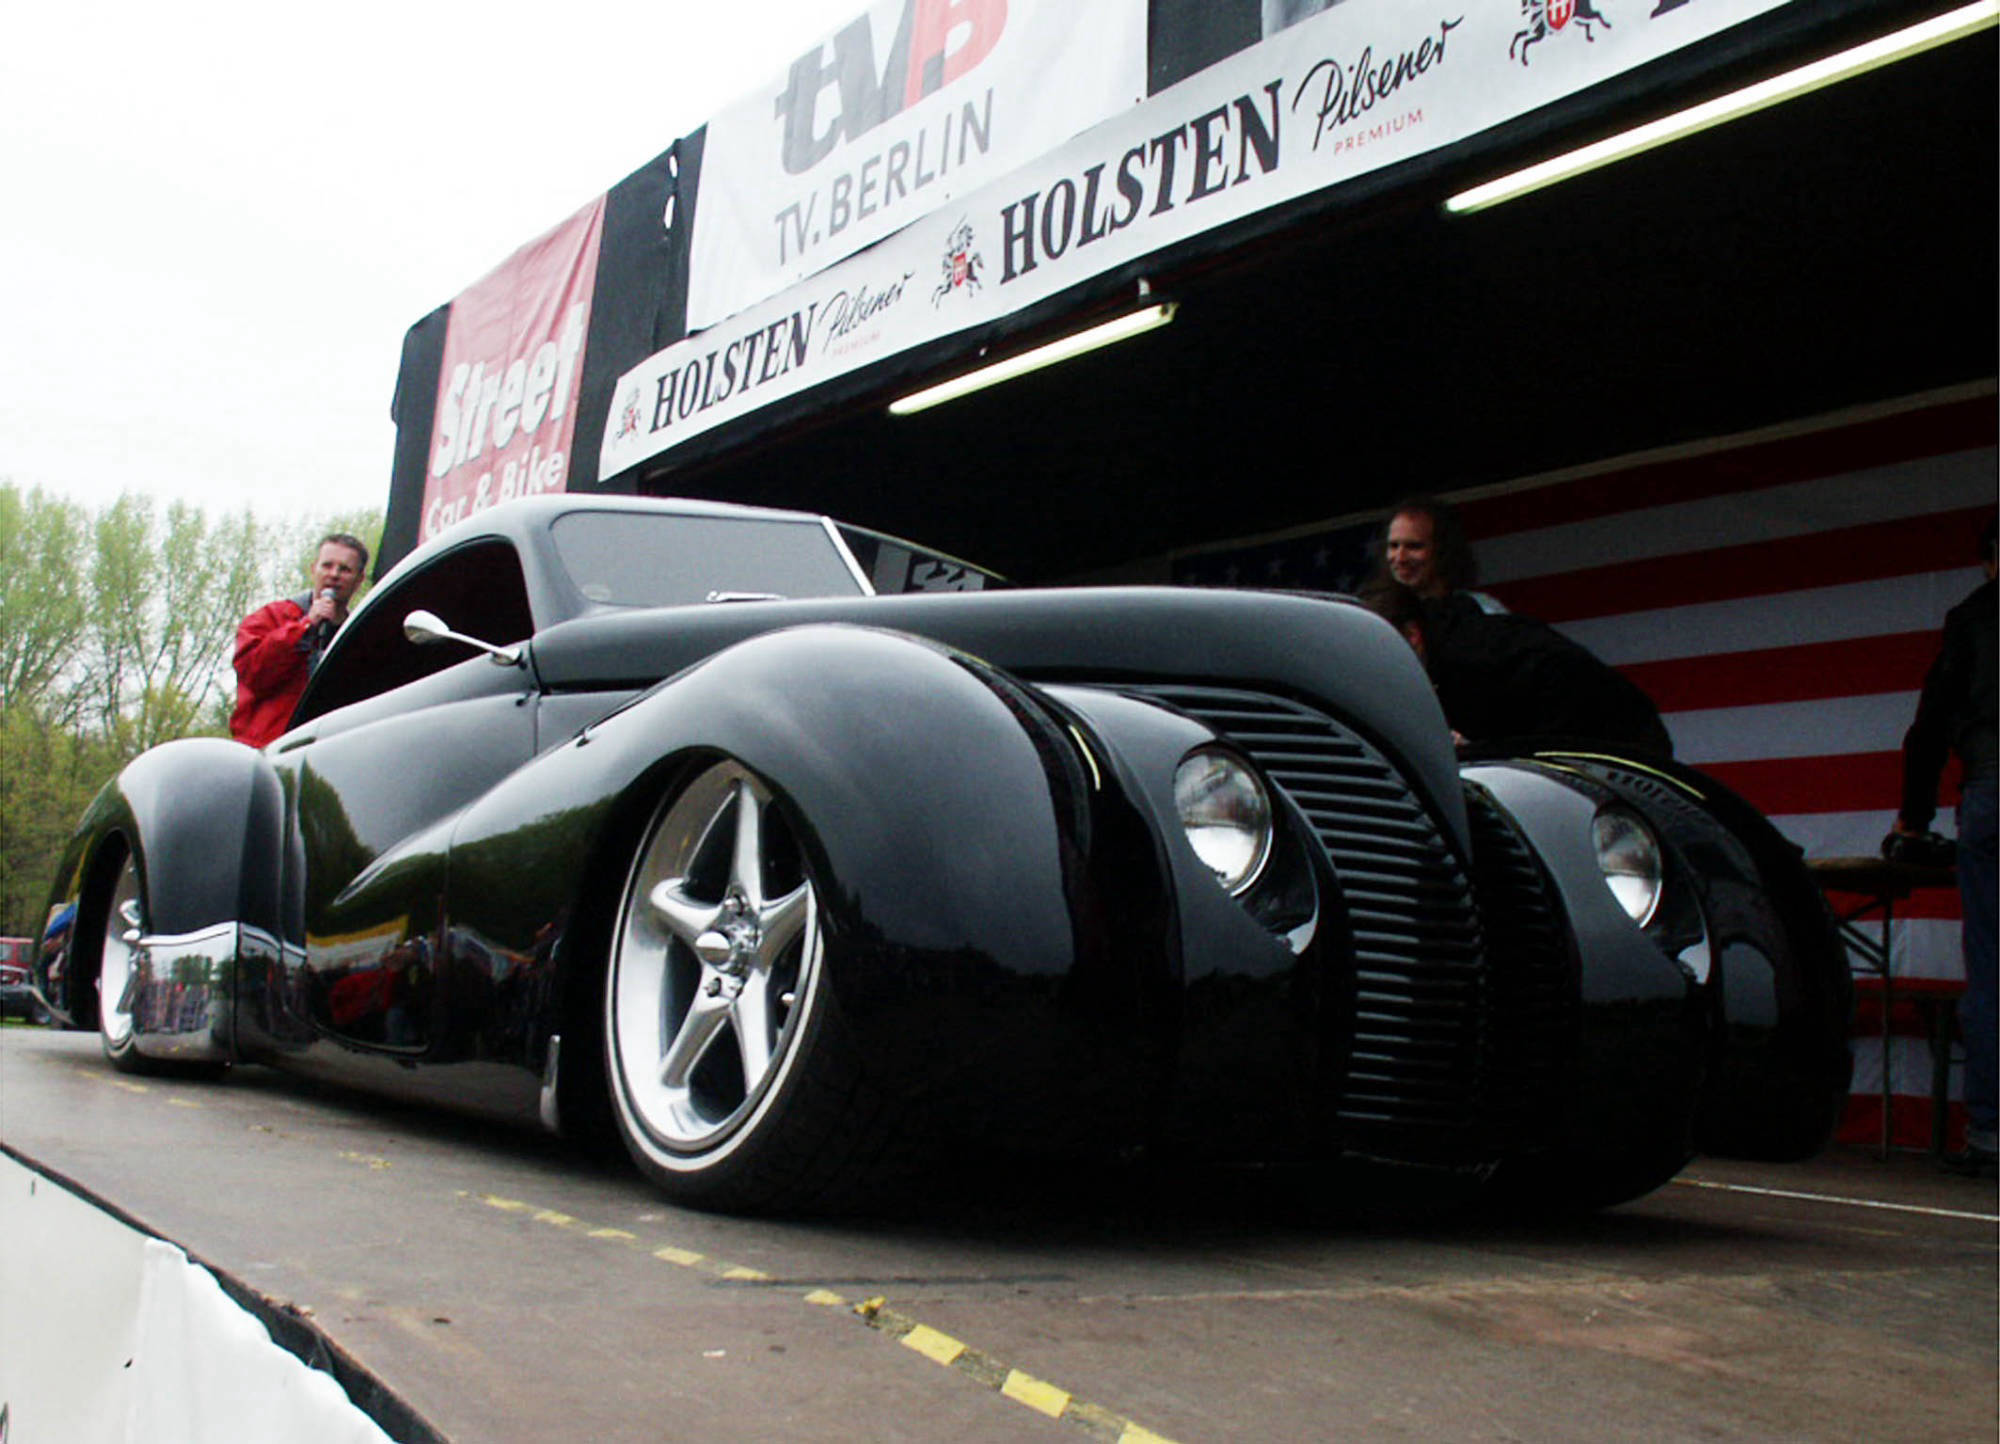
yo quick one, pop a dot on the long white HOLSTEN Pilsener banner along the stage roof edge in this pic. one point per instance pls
(1345, 93)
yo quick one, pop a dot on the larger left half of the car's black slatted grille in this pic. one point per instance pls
(1419, 1001)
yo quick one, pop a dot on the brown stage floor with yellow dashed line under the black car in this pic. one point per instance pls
(503, 1289)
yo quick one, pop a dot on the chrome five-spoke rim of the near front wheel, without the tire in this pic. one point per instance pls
(713, 971)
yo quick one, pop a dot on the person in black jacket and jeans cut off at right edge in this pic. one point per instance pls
(1957, 715)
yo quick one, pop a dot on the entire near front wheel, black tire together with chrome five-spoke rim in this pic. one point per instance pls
(733, 1079)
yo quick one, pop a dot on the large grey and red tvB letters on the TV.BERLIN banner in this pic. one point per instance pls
(921, 61)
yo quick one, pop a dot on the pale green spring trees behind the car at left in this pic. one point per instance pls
(115, 635)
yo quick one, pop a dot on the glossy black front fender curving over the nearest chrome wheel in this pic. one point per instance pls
(997, 919)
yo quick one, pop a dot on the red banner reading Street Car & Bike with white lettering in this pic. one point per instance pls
(511, 377)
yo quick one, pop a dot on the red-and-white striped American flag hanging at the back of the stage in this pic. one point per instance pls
(1781, 599)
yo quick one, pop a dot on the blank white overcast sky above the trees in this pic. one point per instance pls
(219, 219)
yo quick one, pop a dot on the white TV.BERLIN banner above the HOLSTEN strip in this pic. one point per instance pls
(891, 117)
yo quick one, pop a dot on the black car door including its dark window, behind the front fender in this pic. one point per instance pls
(391, 741)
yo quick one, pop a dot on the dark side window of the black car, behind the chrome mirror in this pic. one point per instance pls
(477, 589)
